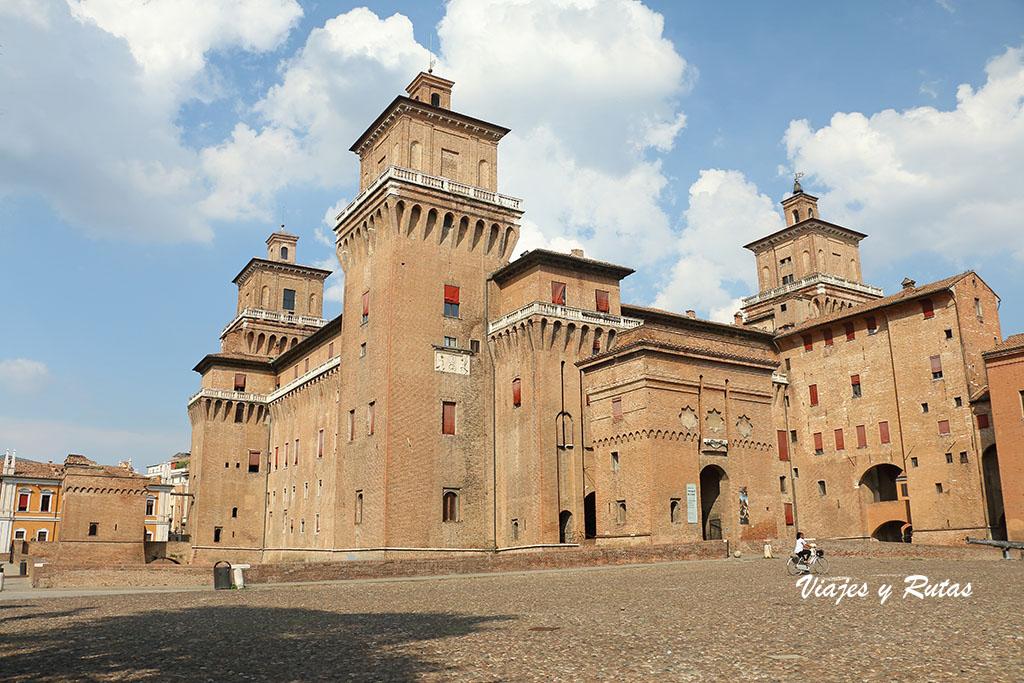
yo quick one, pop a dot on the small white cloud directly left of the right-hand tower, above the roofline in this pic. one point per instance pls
(726, 210)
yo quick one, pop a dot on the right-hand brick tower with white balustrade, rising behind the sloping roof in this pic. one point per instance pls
(809, 269)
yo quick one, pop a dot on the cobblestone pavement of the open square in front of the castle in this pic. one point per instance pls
(696, 621)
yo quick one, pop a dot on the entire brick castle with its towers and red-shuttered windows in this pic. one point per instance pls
(463, 402)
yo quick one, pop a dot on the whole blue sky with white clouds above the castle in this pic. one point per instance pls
(148, 150)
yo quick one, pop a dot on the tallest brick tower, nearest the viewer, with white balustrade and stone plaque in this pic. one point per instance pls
(418, 245)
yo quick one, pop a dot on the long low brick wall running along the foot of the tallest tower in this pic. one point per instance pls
(553, 559)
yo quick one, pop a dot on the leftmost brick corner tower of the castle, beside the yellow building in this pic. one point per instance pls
(280, 305)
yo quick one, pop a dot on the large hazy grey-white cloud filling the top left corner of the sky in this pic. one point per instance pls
(101, 142)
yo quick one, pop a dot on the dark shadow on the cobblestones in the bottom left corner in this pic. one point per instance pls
(229, 644)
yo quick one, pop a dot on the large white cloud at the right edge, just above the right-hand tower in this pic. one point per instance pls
(926, 180)
